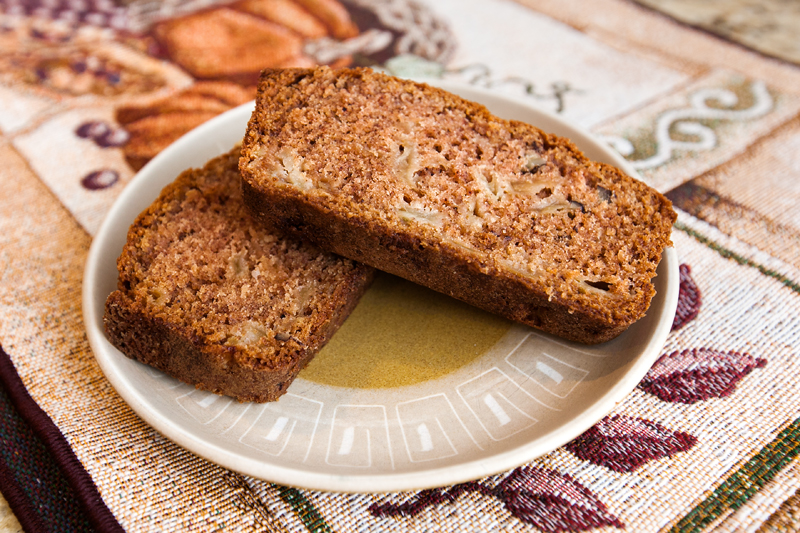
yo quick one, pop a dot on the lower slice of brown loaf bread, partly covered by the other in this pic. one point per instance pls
(208, 296)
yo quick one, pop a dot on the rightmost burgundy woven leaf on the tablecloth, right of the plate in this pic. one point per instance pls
(698, 374)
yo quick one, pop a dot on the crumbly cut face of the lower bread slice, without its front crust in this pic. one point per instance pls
(196, 262)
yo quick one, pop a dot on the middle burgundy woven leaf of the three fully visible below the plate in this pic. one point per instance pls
(623, 443)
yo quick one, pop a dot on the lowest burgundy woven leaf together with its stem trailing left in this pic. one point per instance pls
(546, 499)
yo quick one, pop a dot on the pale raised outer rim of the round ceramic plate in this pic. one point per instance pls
(351, 483)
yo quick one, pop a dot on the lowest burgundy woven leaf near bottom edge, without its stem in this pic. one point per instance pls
(553, 502)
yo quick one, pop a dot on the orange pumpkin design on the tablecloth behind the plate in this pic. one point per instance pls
(224, 48)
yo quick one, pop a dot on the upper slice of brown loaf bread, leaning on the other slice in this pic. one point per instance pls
(418, 182)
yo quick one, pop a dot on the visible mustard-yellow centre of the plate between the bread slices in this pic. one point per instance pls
(401, 334)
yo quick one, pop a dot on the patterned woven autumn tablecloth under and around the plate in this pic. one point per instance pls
(90, 90)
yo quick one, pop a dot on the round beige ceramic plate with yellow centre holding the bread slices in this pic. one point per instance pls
(416, 390)
